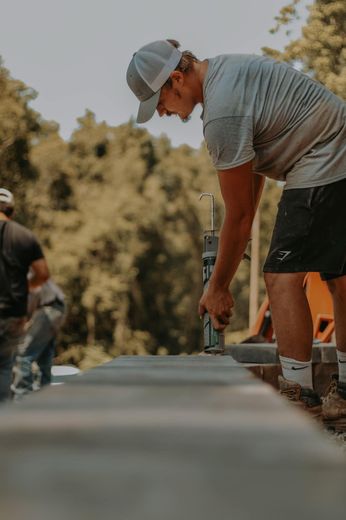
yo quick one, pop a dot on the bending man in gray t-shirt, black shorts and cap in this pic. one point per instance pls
(262, 118)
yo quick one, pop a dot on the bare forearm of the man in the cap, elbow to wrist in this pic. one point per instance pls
(234, 237)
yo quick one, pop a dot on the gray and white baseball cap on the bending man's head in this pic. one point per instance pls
(148, 71)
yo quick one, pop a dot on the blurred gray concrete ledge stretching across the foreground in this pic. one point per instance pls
(153, 438)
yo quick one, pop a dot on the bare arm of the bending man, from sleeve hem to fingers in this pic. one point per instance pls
(241, 191)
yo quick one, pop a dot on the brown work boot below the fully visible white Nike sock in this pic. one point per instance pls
(304, 398)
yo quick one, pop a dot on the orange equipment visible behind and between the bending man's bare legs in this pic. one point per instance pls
(321, 306)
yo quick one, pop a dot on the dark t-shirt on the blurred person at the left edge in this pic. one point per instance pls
(19, 248)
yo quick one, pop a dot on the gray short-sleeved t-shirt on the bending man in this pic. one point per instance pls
(292, 127)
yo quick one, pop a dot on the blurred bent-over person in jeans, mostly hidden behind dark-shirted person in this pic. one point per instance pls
(46, 311)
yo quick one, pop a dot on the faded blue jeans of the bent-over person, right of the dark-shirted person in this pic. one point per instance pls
(39, 346)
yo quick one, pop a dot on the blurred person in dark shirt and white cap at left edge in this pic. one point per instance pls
(19, 252)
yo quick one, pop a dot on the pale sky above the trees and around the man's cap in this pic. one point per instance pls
(75, 53)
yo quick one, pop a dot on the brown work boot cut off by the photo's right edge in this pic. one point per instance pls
(334, 405)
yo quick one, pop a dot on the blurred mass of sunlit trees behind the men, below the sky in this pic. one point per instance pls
(118, 214)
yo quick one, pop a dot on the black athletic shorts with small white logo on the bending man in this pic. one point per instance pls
(310, 232)
